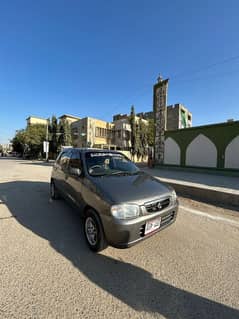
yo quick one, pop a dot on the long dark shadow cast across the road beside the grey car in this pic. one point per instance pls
(61, 226)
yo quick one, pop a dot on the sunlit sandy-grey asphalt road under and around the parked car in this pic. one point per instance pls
(189, 270)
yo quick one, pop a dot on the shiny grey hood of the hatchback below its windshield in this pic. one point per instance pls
(136, 189)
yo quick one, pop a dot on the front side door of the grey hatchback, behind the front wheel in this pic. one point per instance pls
(75, 178)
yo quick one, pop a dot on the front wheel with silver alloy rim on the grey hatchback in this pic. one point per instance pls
(94, 232)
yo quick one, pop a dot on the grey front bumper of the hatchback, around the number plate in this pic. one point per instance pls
(126, 233)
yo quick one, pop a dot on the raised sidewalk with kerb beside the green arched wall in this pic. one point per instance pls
(218, 189)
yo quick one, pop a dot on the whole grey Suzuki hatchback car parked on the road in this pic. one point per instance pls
(120, 204)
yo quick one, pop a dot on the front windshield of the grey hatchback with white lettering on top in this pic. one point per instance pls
(100, 164)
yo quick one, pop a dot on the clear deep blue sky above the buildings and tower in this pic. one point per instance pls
(96, 58)
